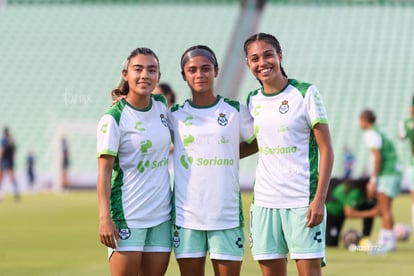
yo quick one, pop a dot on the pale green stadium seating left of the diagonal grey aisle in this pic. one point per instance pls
(60, 62)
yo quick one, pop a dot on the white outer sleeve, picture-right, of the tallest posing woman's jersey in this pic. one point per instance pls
(315, 107)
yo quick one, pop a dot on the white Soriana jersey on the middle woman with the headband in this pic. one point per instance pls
(206, 163)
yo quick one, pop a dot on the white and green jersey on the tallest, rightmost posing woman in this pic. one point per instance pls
(287, 170)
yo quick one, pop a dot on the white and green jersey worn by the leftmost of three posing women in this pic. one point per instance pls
(139, 139)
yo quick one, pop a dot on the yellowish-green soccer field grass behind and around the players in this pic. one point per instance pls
(57, 234)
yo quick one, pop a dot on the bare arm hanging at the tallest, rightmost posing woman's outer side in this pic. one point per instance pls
(326, 157)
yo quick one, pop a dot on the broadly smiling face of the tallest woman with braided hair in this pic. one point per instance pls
(264, 62)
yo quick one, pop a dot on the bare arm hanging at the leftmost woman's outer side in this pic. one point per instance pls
(107, 230)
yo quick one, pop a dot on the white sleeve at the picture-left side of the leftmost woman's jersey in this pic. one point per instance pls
(108, 136)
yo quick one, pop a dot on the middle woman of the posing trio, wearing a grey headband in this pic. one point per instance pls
(207, 130)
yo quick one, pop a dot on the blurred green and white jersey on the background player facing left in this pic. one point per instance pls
(375, 139)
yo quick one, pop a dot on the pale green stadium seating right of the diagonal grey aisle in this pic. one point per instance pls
(358, 57)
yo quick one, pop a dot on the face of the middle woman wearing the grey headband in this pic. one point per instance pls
(199, 73)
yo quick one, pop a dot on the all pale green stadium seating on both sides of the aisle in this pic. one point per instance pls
(60, 62)
